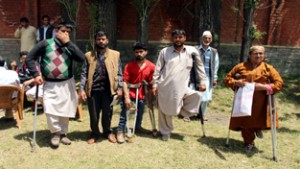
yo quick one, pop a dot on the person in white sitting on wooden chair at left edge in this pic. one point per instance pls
(8, 77)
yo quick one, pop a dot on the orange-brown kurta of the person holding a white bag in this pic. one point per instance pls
(260, 118)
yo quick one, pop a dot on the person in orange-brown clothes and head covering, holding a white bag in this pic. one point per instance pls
(254, 70)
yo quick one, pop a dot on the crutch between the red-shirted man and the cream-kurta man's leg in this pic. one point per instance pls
(150, 110)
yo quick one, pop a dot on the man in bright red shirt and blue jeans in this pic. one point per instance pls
(135, 72)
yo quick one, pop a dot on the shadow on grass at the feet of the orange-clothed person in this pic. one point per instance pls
(219, 147)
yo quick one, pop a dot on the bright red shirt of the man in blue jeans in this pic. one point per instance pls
(133, 74)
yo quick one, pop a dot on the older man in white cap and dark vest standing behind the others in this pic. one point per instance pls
(210, 59)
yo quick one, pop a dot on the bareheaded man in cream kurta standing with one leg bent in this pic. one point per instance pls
(171, 79)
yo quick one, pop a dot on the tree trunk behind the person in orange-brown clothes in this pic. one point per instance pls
(248, 30)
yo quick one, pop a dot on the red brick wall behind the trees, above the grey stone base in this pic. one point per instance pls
(169, 14)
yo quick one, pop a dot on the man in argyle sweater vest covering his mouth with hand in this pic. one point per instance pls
(60, 97)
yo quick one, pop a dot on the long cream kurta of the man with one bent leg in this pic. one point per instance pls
(171, 77)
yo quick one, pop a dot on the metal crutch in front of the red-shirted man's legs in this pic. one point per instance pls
(130, 133)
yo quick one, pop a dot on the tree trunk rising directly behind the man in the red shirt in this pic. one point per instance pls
(144, 9)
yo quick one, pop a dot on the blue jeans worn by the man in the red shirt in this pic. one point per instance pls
(123, 117)
